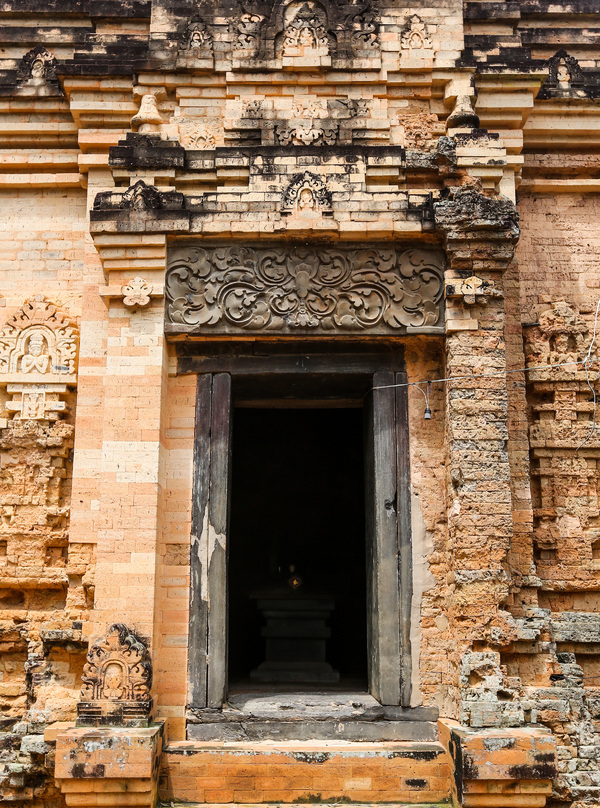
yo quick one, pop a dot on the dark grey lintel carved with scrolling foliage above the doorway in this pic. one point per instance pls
(304, 290)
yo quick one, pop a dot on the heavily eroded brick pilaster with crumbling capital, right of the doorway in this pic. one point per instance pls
(480, 233)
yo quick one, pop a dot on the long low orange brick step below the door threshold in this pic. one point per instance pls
(290, 772)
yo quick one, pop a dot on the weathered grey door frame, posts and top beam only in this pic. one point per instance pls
(221, 371)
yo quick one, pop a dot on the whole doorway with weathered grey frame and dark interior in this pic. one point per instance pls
(301, 460)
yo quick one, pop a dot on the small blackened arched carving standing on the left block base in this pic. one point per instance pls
(117, 677)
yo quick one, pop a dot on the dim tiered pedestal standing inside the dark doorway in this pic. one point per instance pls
(296, 635)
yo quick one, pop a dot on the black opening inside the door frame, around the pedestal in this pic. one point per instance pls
(297, 511)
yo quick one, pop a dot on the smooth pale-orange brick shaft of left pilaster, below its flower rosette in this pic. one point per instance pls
(129, 468)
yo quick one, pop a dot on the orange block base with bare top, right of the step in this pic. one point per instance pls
(511, 767)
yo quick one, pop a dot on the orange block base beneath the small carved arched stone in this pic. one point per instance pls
(112, 766)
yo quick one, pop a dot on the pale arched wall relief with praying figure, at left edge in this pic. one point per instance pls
(39, 339)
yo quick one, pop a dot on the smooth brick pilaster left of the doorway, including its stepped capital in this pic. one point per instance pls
(118, 454)
